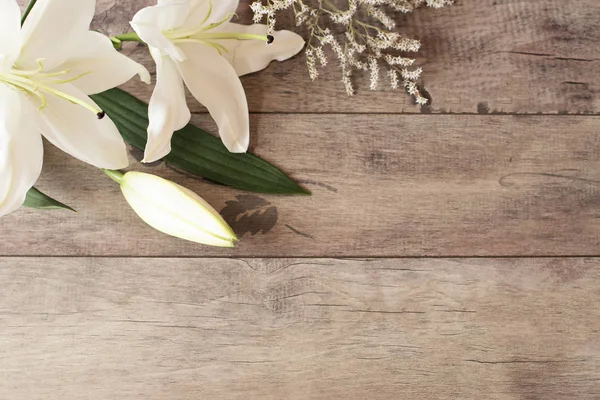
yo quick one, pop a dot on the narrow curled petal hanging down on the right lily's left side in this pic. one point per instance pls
(168, 111)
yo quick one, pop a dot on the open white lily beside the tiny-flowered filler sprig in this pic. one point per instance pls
(192, 41)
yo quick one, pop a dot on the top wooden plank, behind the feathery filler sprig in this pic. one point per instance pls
(479, 56)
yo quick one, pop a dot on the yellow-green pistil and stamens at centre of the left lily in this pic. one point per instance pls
(39, 84)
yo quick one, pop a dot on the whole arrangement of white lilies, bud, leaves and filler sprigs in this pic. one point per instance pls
(59, 79)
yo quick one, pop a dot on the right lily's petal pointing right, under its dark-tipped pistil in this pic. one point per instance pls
(249, 56)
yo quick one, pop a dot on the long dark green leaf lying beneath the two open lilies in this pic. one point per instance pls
(197, 151)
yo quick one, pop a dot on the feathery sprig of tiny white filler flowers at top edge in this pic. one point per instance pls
(361, 34)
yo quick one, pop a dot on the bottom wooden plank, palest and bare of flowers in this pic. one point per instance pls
(182, 329)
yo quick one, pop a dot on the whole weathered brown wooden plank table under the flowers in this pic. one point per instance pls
(447, 252)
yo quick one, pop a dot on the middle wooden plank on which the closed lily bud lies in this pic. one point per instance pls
(382, 186)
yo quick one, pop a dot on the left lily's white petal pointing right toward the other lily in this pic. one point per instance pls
(99, 66)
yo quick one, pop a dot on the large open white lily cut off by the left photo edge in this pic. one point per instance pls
(48, 68)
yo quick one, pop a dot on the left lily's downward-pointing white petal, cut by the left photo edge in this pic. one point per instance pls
(21, 150)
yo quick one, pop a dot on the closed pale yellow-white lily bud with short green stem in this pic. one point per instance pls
(173, 209)
